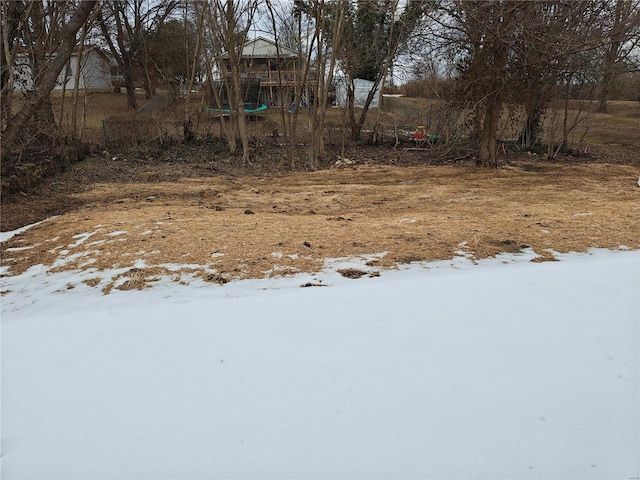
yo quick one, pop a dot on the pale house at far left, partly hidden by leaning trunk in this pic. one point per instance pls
(94, 66)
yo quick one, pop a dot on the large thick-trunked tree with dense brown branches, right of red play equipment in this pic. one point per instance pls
(510, 52)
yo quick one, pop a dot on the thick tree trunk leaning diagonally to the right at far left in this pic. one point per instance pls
(12, 134)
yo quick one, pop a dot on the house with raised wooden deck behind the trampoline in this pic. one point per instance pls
(271, 74)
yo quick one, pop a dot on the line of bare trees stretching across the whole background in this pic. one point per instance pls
(479, 54)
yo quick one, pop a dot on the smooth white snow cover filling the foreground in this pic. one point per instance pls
(500, 370)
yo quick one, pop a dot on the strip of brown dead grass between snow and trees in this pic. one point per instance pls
(206, 215)
